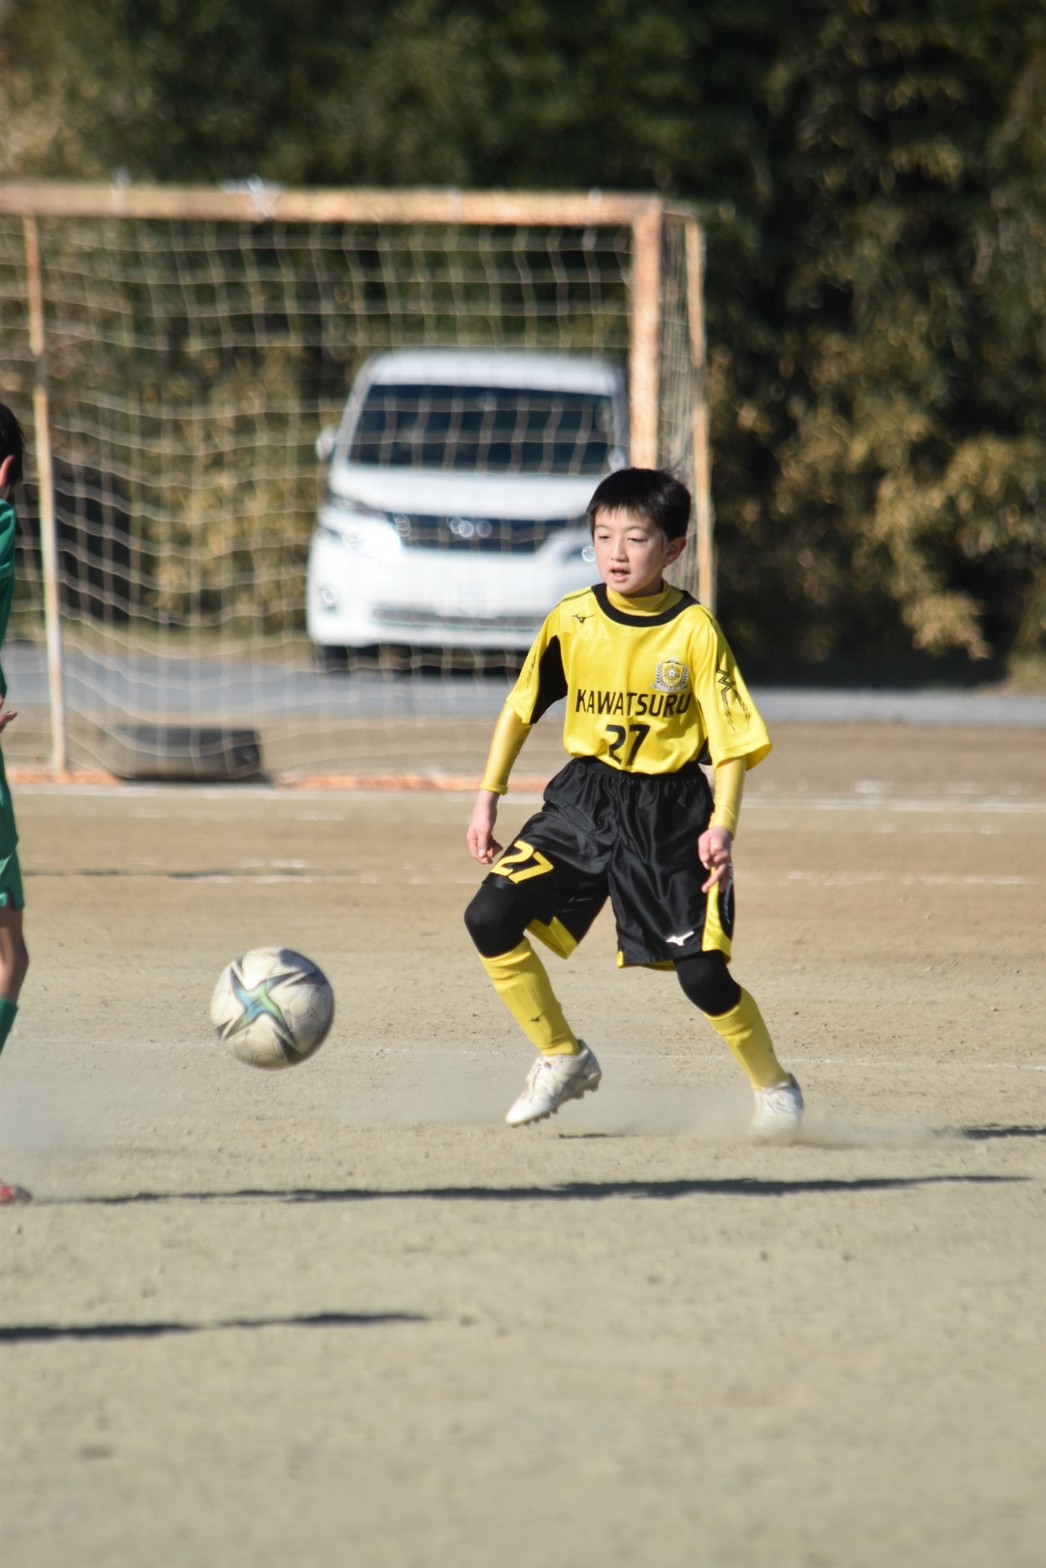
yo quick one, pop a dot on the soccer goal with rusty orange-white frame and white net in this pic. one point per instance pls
(176, 357)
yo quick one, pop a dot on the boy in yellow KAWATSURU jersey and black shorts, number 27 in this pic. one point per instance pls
(652, 689)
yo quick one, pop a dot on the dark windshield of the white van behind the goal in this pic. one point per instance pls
(485, 430)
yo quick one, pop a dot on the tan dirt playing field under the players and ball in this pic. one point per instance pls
(344, 1316)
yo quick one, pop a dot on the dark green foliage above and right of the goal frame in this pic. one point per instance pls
(874, 186)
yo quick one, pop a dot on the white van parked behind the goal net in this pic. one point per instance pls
(457, 493)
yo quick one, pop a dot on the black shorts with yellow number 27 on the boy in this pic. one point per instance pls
(631, 838)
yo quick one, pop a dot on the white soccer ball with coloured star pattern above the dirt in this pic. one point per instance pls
(272, 1007)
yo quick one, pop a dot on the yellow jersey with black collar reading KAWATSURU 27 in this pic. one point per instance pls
(650, 684)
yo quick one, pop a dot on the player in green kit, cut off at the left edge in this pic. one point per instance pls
(13, 953)
